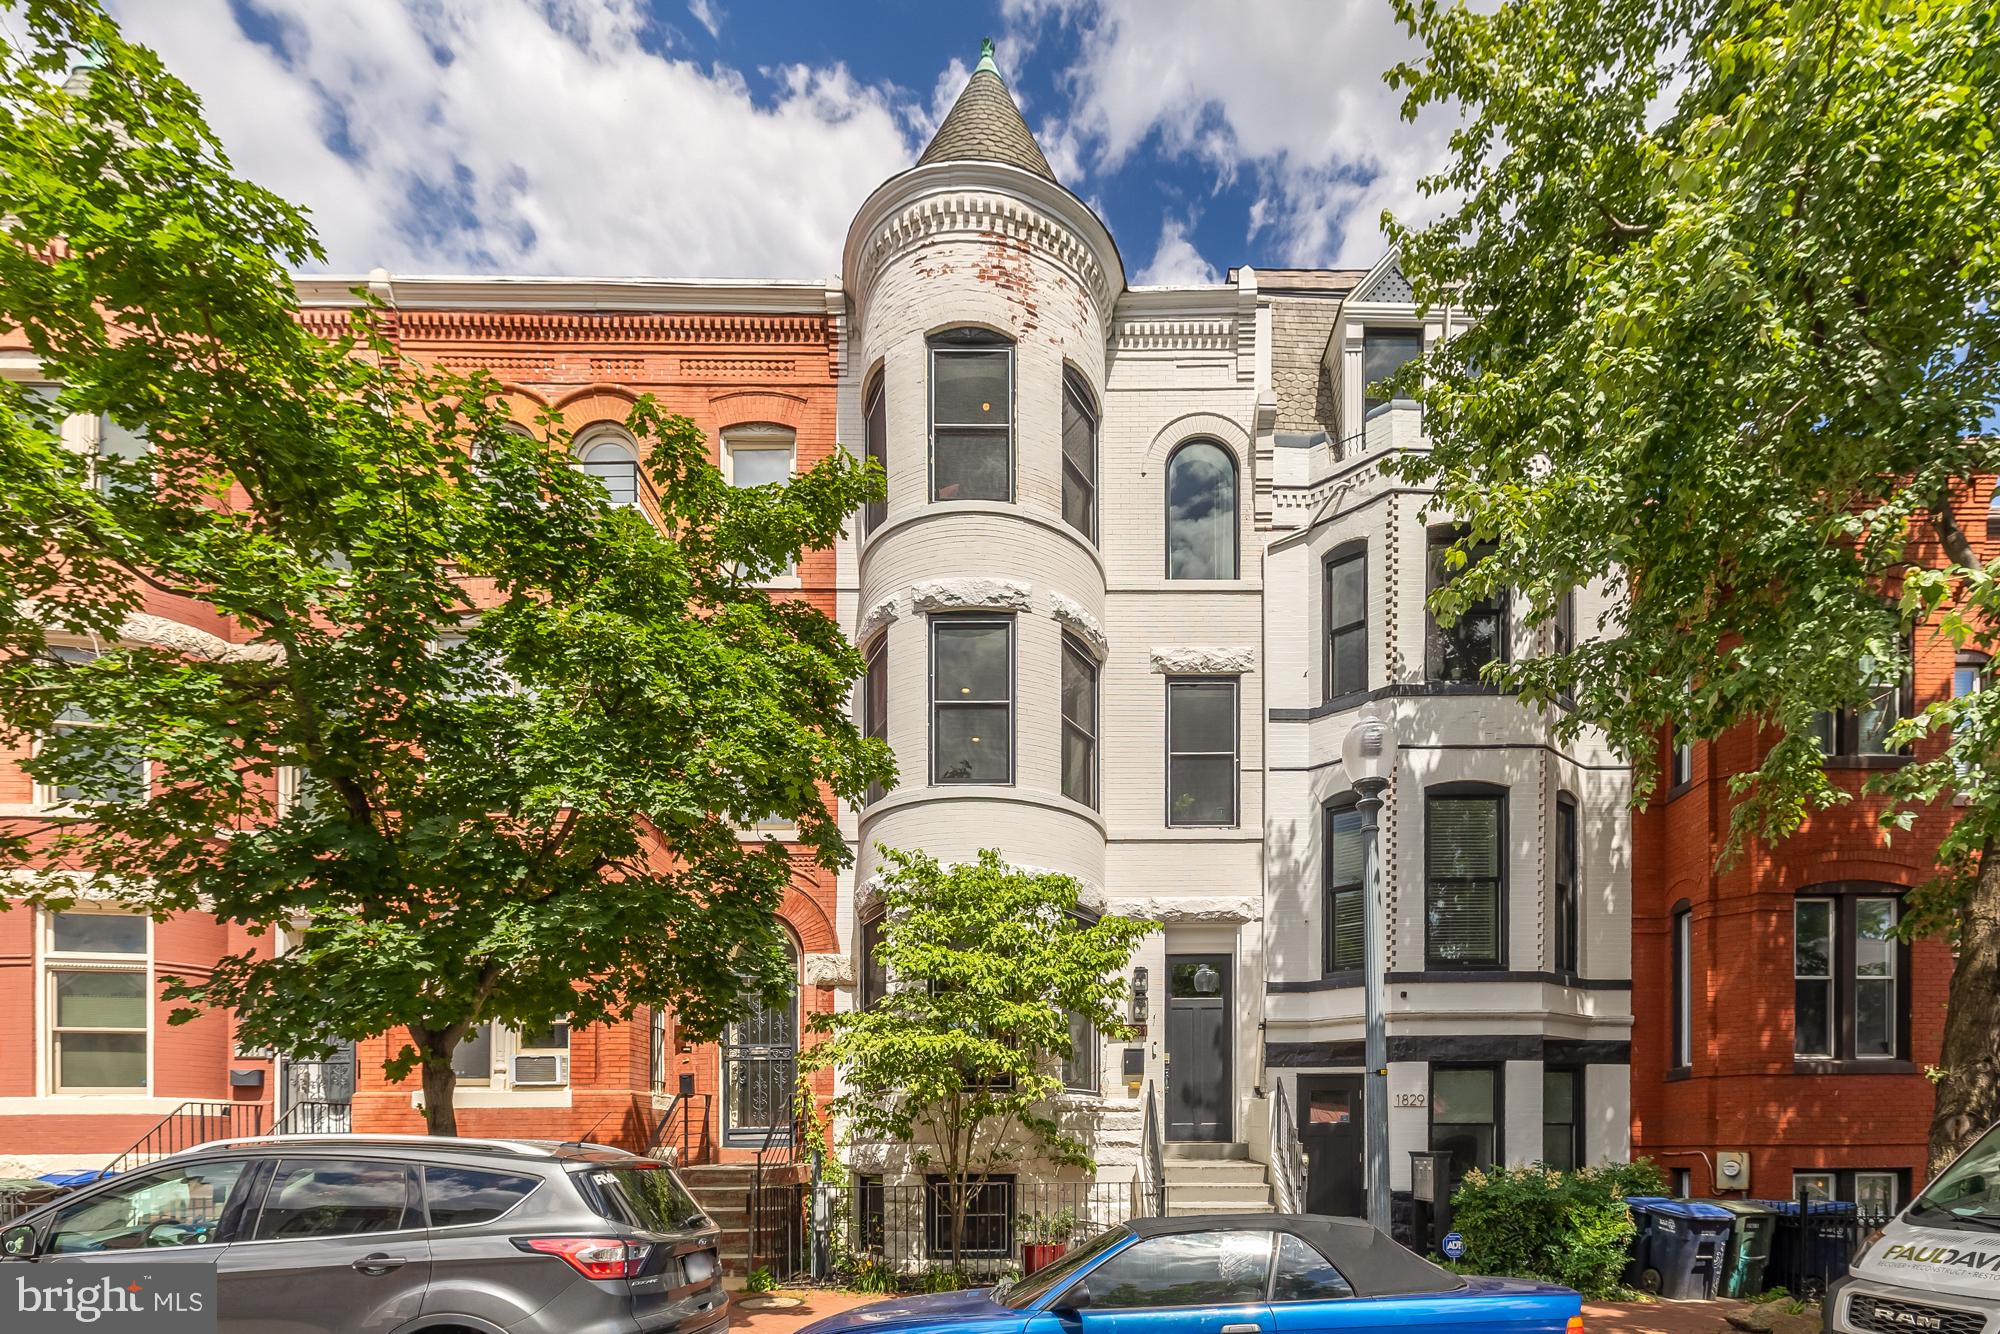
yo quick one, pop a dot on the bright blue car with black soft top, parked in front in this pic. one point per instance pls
(1229, 1275)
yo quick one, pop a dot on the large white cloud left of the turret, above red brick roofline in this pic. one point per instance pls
(531, 137)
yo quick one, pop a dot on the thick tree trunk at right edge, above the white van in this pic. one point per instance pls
(1969, 1093)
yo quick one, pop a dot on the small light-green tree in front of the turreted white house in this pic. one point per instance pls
(987, 967)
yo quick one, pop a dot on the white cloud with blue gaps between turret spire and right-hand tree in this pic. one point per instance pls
(1287, 93)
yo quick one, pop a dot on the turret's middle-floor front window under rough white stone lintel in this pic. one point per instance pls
(971, 699)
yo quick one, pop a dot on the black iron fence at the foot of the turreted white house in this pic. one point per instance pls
(907, 1229)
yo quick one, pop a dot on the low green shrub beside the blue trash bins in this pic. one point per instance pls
(1561, 1227)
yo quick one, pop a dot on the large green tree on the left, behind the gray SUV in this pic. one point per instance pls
(529, 727)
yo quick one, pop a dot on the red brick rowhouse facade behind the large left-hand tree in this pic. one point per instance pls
(723, 357)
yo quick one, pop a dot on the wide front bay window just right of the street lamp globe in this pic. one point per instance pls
(1465, 877)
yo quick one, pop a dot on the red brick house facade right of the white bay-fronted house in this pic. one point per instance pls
(1743, 1089)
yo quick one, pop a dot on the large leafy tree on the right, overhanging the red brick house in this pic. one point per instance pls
(1733, 267)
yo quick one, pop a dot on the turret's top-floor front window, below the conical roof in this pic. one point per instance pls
(971, 415)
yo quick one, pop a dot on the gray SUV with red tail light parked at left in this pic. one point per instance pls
(393, 1235)
